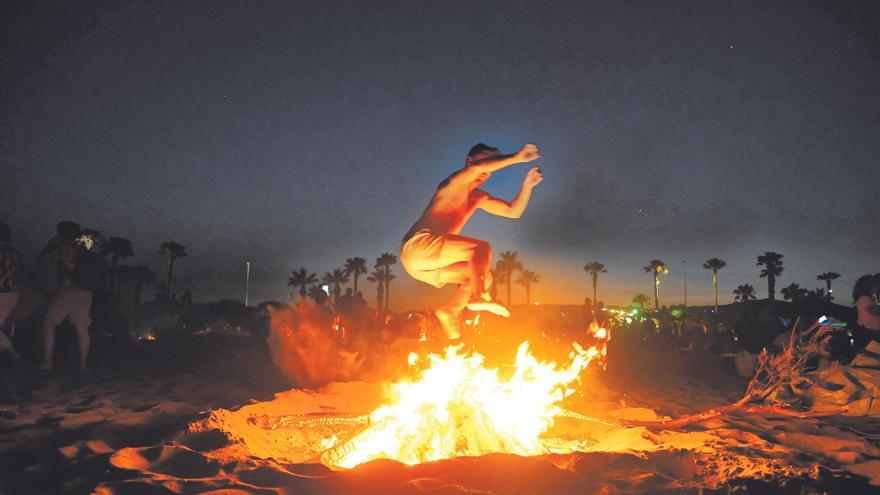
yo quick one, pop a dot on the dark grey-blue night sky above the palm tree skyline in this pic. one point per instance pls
(295, 134)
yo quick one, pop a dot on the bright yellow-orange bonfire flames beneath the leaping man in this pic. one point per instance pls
(457, 407)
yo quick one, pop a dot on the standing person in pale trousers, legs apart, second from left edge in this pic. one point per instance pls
(74, 301)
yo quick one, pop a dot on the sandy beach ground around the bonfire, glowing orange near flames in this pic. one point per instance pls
(222, 424)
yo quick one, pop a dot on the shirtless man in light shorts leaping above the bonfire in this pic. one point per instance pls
(433, 251)
